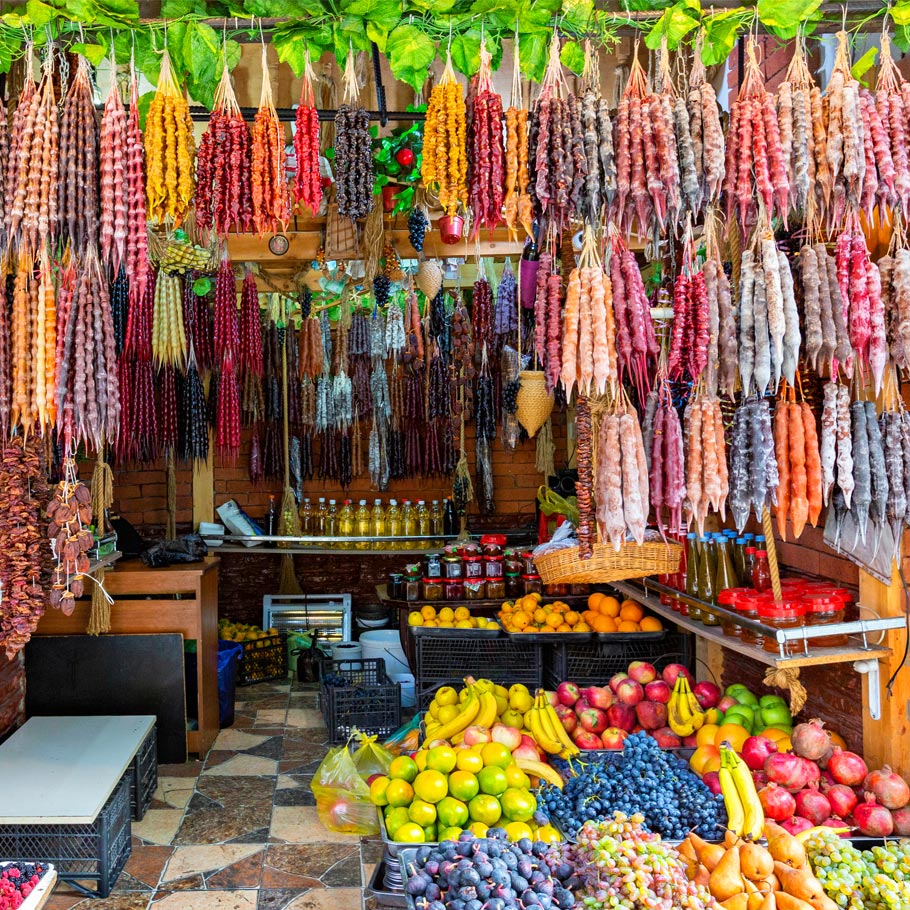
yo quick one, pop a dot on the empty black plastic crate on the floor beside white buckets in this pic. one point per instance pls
(370, 703)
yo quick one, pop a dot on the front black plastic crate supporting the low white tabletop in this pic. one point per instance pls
(95, 852)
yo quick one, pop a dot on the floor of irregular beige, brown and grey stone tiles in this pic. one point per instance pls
(239, 831)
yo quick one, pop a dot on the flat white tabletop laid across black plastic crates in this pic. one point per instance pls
(65, 768)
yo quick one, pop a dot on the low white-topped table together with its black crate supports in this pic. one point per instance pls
(69, 802)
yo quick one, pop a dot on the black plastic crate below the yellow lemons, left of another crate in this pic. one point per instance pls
(447, 661)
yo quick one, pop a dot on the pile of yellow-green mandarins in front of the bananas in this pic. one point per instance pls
(439, 792)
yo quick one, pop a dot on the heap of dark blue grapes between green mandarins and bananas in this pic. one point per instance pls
(642, 778)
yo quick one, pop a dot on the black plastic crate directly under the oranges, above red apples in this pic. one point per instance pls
(593, 664)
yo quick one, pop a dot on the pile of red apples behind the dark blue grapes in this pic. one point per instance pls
(601, 717)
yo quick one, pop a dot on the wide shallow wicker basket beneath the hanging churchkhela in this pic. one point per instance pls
(606, 565)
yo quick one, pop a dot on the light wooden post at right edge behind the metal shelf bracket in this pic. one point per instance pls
(887, 741)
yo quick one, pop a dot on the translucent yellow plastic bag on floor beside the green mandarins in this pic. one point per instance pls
(342, 796)
